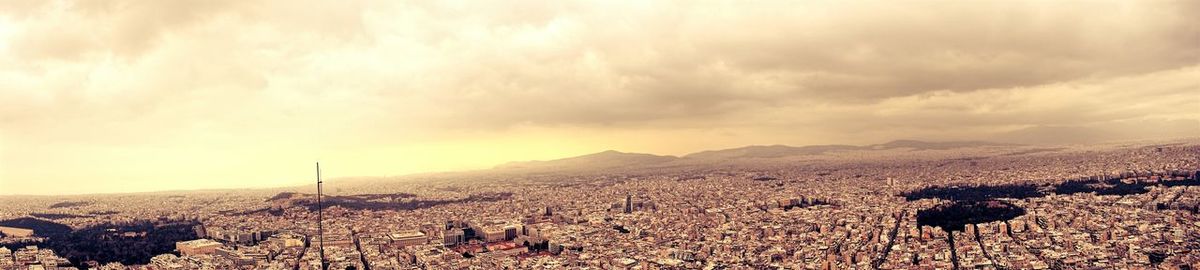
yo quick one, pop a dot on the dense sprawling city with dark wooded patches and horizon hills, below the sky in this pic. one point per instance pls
(901, 206)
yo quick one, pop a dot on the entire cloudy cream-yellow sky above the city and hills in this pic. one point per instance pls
(129, 97)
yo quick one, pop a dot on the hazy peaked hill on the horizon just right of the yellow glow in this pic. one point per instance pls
(593, 161)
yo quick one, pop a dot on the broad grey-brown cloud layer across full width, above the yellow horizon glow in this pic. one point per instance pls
(604, 63)
